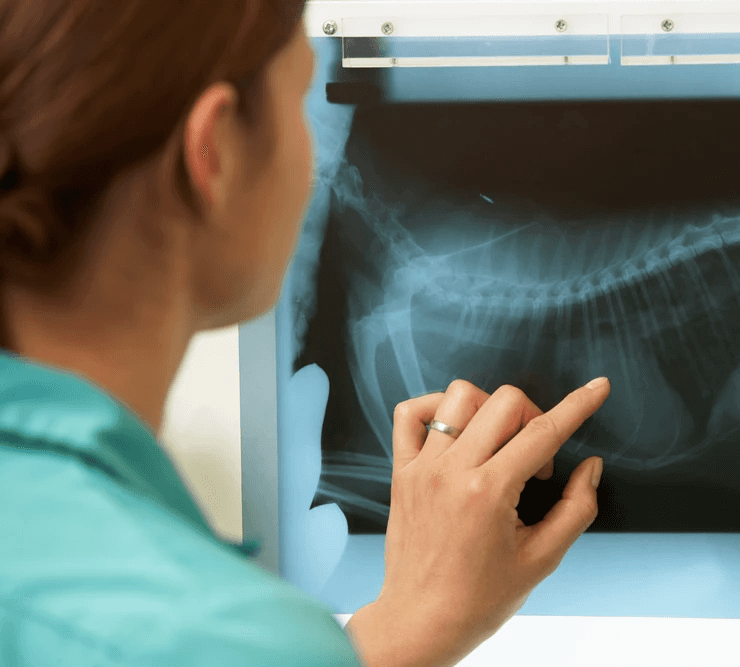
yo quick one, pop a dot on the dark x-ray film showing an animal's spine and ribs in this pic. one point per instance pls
(538, 247)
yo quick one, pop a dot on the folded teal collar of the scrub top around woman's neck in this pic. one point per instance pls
(58, 410)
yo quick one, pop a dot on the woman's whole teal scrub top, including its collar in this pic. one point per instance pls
(105, 558)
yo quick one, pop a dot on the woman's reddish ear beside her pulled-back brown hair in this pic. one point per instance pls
(202, 159)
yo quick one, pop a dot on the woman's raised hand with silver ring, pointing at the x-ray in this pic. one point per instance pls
(459, 562)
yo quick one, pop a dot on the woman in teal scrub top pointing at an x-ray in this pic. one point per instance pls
(154, 169)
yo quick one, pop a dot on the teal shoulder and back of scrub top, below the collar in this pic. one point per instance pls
(94, 570)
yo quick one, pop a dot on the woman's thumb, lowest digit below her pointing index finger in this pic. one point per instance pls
(550, 539)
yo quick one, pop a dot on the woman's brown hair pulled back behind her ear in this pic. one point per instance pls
(91, 88)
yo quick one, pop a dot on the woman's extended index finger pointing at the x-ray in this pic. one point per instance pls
(543, 436)
